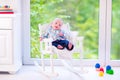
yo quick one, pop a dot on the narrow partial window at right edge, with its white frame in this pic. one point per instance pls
(112, 40)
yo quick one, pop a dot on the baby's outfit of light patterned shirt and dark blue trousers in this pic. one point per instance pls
(57, 39)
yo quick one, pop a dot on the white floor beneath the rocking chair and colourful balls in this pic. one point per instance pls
(33, 73)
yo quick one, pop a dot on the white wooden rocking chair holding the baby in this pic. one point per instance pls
(65, 55)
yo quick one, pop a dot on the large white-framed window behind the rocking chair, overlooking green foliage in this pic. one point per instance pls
(87, 17)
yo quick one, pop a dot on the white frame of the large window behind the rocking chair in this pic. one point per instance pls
(26, 38)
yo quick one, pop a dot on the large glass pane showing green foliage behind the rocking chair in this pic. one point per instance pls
(81, 14)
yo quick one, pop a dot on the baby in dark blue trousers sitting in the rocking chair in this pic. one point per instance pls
(60, 40)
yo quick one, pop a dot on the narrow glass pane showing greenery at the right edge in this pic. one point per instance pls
(115, 45)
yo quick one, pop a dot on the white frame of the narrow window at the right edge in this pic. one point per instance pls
(108, 36)
